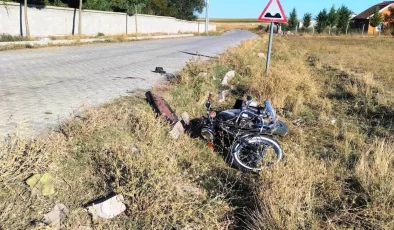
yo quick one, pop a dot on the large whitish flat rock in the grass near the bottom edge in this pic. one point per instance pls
(108, 209)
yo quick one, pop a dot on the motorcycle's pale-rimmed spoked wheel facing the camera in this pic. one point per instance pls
(245, 159)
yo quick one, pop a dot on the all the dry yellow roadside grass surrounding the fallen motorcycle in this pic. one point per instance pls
(338, 171)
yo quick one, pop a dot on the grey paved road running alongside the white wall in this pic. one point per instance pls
(39, 88)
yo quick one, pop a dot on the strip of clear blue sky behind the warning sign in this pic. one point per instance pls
(253, 8)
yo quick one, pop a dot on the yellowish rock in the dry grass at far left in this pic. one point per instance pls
(42, 184)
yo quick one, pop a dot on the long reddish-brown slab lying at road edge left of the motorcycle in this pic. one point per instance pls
(161, 107)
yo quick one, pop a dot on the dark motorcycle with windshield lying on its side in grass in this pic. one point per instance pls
(248, 129)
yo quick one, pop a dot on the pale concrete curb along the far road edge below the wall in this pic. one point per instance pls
(90, 40)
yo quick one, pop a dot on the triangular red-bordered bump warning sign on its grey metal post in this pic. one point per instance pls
(273, 12)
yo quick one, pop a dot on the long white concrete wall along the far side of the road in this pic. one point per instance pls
(56, 21)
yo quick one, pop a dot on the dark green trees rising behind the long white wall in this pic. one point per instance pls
(175, 8)
